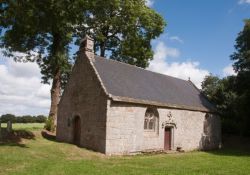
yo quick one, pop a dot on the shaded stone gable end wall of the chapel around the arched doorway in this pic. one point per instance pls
(83, 97)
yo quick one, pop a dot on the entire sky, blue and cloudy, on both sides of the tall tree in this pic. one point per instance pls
(198, 40)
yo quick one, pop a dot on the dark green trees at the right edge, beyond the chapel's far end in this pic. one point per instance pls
(232, 94)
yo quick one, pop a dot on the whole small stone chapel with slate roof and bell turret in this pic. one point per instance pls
(116, 108)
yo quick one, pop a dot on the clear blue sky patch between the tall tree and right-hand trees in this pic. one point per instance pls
(208, 29)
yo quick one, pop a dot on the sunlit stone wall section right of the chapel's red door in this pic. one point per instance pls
(189, 132)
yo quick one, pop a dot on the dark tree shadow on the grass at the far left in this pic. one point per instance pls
(14, 138)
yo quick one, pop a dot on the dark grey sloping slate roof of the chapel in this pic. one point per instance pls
(129, 83)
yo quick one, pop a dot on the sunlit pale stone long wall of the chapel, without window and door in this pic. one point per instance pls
(125, 129)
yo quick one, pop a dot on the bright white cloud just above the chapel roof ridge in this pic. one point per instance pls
(182, 70)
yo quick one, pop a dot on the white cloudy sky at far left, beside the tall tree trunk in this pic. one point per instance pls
(21, 91)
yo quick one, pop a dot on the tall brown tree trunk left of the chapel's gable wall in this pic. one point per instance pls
(55, 97)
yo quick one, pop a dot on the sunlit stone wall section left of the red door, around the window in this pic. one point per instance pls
(125, 130)
